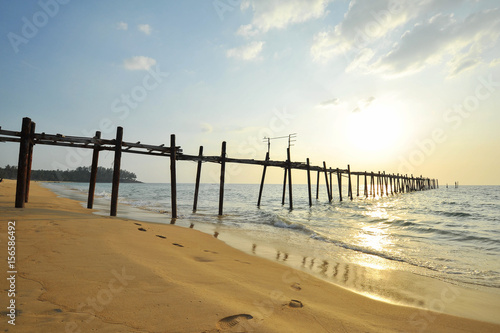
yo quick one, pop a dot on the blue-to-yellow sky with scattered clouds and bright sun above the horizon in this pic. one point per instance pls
(409, 87)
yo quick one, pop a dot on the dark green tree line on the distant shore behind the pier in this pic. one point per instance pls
(80, 175)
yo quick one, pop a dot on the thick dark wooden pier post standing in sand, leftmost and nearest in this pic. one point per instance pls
(22, 165)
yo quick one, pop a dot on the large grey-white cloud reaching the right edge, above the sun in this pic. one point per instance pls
(466, 40)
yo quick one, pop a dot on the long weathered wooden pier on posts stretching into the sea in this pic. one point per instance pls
(376, 184)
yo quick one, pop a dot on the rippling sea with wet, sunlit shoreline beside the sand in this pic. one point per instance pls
(434, 250)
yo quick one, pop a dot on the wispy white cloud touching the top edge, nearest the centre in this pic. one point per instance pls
(278, 14)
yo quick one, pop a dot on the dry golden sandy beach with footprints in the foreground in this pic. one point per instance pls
(79, 272)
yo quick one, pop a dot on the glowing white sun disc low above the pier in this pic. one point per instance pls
(377, 128)
